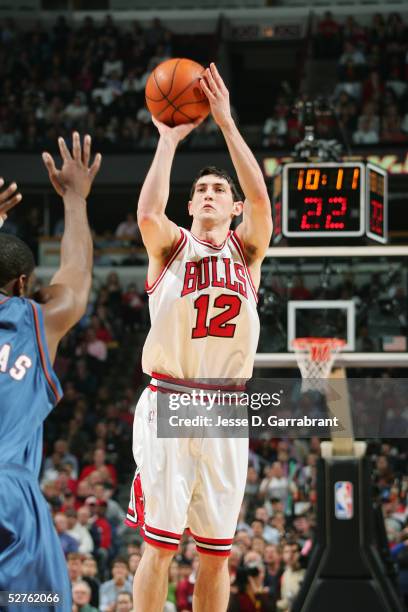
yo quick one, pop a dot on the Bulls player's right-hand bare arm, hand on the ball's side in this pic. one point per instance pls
(256, 229)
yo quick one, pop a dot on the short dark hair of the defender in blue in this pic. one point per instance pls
(16, 259)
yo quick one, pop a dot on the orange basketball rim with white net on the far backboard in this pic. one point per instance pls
(315, 357)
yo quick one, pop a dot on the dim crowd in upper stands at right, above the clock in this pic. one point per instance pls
(369, 100)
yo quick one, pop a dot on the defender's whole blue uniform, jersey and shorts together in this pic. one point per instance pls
(31, 557)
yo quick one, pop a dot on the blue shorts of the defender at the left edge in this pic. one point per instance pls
(31, 556)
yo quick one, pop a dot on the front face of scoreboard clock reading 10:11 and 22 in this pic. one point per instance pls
(323, 199)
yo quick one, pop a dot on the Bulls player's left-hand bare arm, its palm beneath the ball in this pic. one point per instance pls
(159, 234)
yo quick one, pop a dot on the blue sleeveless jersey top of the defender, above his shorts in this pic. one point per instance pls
(29, 388)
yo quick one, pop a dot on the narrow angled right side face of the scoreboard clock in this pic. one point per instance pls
(377, 203)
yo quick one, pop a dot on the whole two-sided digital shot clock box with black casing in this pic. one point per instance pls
(330, 199)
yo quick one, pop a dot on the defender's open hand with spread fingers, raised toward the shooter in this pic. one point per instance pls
(75, 175)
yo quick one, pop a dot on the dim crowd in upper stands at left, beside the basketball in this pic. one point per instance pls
(90, 78)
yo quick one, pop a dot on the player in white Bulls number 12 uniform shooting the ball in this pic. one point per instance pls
(204, 324)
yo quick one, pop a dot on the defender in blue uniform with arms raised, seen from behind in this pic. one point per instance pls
(31, 557)
